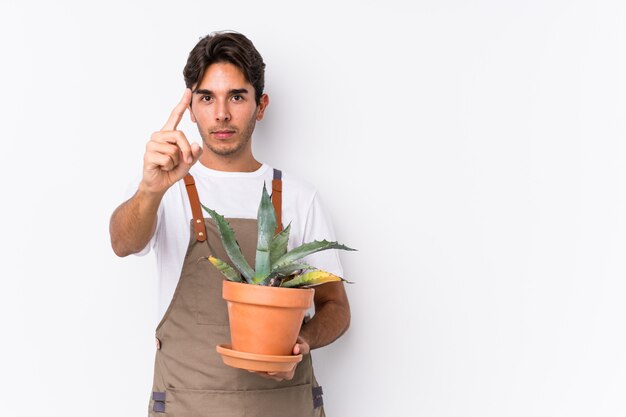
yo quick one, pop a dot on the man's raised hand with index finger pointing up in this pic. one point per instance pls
(169, 156)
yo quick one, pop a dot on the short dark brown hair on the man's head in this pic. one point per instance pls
(231, 47)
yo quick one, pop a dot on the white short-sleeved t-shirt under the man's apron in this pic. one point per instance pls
(234, 195)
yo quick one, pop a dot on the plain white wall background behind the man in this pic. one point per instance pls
(473, 151)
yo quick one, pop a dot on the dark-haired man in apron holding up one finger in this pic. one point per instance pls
(224, 75)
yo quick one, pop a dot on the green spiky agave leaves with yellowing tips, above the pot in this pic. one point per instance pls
(274, 265)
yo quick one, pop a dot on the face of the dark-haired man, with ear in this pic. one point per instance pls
(225, 110)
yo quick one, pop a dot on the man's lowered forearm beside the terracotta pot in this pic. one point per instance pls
(331, 320)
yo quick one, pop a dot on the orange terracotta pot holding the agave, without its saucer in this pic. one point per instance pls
(265, 320)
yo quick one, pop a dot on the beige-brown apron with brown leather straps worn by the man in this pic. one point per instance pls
(190, 379)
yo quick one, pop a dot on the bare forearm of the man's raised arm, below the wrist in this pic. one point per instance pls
(133, 223)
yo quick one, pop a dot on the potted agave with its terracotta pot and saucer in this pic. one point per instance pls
(267, 304)
